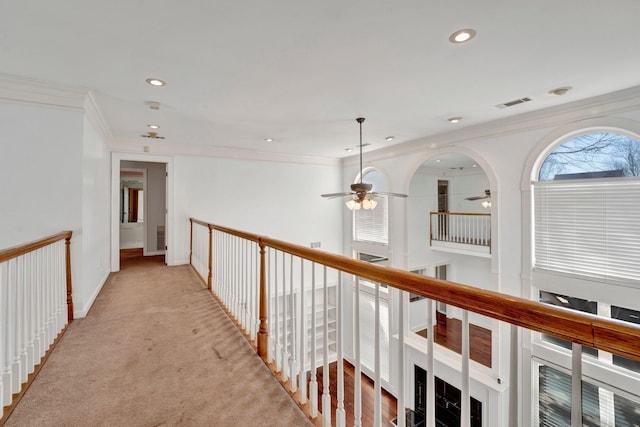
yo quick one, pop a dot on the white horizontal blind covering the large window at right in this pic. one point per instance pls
(588, 227)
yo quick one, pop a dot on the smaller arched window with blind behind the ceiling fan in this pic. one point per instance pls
(371, 225)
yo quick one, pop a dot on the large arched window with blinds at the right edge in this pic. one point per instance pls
(587, 202)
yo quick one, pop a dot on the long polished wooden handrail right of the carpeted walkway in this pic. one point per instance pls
(606, 334)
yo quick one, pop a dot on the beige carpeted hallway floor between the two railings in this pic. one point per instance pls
(155, 350)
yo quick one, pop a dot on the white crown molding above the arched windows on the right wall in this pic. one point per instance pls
(612, 103)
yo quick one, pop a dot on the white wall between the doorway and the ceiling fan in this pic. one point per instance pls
(278, 199)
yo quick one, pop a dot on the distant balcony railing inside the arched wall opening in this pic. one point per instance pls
(457, 227)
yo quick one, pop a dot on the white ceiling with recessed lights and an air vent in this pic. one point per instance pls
(301, 71)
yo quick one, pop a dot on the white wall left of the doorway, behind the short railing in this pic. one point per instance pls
(54, 177)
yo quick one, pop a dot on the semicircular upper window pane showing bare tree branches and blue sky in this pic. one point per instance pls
(594, 155)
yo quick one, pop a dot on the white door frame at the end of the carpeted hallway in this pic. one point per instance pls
(116, 158)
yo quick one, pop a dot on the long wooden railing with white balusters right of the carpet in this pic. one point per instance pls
(288, 299)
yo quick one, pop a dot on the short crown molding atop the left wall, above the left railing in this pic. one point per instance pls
(32, 91)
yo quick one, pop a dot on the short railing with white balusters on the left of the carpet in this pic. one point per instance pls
(36, 306)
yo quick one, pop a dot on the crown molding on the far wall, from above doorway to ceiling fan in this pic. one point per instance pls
(169, 149)
